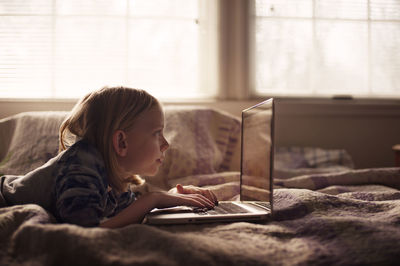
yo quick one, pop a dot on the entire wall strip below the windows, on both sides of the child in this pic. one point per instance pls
(366, 129)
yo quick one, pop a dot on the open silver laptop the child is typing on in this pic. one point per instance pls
(256, 181)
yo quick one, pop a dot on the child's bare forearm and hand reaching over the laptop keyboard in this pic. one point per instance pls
(137, 210)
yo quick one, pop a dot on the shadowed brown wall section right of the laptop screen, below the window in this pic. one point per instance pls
(366, 130)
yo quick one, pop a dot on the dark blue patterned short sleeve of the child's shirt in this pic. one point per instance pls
(80, 197)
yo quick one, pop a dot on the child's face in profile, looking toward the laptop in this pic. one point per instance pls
(145, 144)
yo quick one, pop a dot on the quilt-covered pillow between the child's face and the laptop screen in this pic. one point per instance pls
(202, 141)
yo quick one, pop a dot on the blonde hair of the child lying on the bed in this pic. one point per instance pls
(97, 116)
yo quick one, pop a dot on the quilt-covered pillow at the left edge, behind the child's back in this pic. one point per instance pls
(28, 140)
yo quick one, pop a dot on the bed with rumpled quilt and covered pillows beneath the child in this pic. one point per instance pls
(325, 211)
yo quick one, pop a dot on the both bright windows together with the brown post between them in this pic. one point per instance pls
(200, 48)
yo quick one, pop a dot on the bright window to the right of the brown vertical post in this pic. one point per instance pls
(327, 47)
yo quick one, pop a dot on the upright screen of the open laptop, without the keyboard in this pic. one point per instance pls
(257, 152)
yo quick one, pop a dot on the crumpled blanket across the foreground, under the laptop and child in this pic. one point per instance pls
(352, 227)
